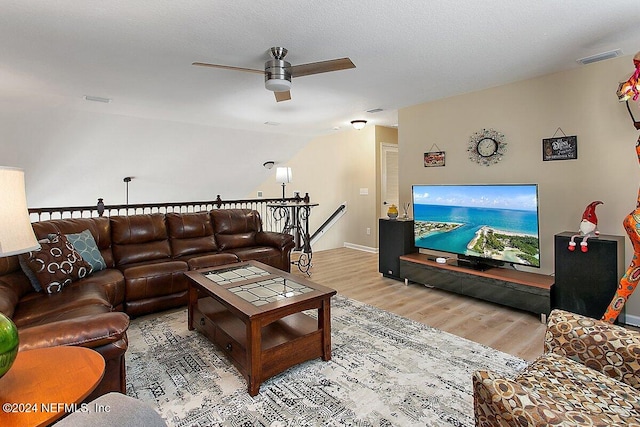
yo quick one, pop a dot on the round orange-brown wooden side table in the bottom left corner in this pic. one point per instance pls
(44, 384)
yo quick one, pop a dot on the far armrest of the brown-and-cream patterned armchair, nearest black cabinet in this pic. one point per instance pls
(610, 349)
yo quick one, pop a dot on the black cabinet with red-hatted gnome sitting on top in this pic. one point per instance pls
(586, 281)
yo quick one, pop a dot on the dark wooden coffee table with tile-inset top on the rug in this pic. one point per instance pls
(254, 313)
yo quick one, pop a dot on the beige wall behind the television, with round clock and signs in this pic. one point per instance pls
(582, 102)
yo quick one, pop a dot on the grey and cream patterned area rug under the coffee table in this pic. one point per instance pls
(385, 370)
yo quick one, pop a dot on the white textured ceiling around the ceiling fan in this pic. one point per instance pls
(139, 54)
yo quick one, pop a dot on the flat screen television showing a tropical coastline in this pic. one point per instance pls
(484, 225)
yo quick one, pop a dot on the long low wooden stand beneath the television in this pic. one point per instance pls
(513, 288)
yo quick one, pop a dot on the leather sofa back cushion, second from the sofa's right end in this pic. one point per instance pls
(190, 233)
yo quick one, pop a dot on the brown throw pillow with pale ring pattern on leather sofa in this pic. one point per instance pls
(57, 264)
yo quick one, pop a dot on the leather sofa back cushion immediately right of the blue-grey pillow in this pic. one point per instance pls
(139, 238)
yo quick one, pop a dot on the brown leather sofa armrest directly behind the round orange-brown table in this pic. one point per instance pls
(86, 331)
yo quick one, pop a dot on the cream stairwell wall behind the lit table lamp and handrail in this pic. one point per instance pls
(333, 169)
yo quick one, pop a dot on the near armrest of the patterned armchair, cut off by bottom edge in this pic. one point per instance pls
(500, 401)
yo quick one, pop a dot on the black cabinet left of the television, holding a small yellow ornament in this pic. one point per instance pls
(395, 238)
